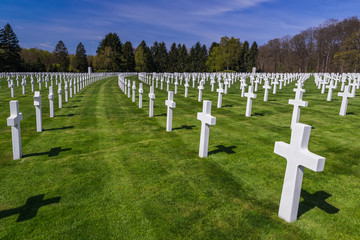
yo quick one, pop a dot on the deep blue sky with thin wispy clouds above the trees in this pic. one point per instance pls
(43, 23)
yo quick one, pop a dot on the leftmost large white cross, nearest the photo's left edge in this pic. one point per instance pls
(14, 122)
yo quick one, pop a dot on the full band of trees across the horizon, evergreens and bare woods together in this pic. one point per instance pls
(333, 46)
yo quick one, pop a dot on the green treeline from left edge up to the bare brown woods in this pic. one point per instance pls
(114, 56)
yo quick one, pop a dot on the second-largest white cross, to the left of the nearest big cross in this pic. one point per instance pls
(206, 120)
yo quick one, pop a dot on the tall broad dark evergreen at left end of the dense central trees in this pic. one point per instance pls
(112, 42)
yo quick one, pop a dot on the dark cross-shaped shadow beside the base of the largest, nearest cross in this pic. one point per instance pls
(317, 199)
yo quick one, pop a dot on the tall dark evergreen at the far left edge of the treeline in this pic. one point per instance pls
(10, 59)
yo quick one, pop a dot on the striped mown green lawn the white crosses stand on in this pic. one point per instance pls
(103, 169)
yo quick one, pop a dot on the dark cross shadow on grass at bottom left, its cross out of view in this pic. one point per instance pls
(30, 209)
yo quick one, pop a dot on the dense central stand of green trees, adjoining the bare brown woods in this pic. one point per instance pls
(229, 54)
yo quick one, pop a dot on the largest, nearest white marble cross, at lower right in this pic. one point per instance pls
(298, 156)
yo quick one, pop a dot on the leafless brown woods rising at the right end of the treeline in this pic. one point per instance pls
(333, 46)
